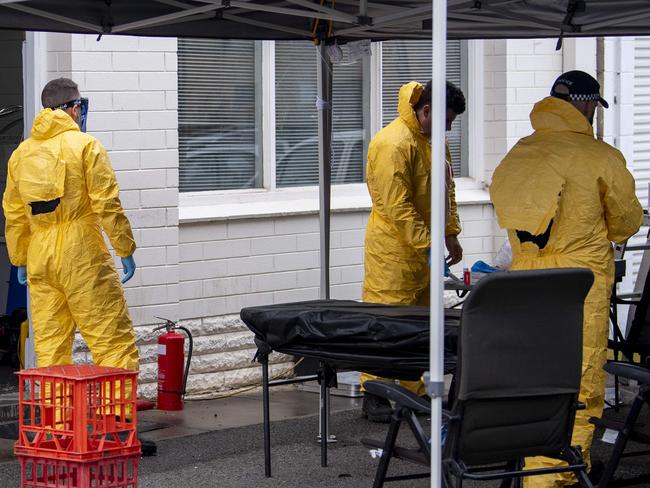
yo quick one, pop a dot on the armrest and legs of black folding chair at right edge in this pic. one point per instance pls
(629, 429)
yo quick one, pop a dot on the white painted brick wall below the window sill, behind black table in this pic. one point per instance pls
(230, 264)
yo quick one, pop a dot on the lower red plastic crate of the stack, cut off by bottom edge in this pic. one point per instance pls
(116, 472)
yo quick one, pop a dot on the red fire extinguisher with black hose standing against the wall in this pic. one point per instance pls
(172, 381)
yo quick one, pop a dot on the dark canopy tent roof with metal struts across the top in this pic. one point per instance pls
(350, 19)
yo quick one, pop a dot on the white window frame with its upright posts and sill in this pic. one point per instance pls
(273, 201)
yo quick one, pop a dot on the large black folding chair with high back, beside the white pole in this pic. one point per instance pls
(517, 384)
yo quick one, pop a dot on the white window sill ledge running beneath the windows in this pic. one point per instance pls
(252, 204)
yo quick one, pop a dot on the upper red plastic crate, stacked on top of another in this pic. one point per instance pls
(77, 413)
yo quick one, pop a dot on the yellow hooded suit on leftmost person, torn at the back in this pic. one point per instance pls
(71, 275)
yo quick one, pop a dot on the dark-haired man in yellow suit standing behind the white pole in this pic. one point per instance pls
(398, 238)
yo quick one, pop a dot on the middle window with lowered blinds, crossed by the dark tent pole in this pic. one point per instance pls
(296, 121)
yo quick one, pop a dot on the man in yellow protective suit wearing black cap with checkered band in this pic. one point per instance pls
(564, 197)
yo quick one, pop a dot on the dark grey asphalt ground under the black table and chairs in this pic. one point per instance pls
(233, 457)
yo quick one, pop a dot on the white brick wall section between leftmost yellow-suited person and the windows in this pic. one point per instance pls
(131, 85)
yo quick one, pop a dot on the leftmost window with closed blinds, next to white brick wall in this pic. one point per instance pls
(218, 133)
